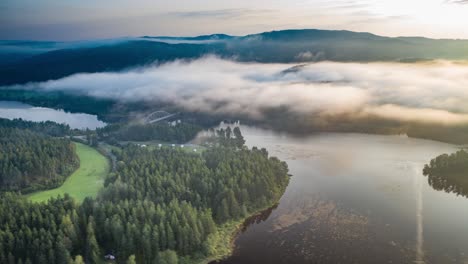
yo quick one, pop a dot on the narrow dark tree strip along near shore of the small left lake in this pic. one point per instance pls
(46, 127)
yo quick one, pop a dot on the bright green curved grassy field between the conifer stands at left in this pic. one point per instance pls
(84, 182)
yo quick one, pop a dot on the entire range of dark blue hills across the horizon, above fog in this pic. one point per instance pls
(277, 46)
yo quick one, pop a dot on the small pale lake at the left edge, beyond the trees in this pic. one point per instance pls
(12, 110)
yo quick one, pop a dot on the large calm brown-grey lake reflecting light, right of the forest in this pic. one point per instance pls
(355, 198)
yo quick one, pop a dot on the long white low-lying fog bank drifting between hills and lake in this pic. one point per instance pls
(433, 92)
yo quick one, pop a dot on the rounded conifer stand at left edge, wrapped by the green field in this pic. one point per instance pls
(30, 161)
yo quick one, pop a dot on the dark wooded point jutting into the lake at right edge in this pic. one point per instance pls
(449, 173)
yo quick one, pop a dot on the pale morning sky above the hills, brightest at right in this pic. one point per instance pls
(91, 19)
